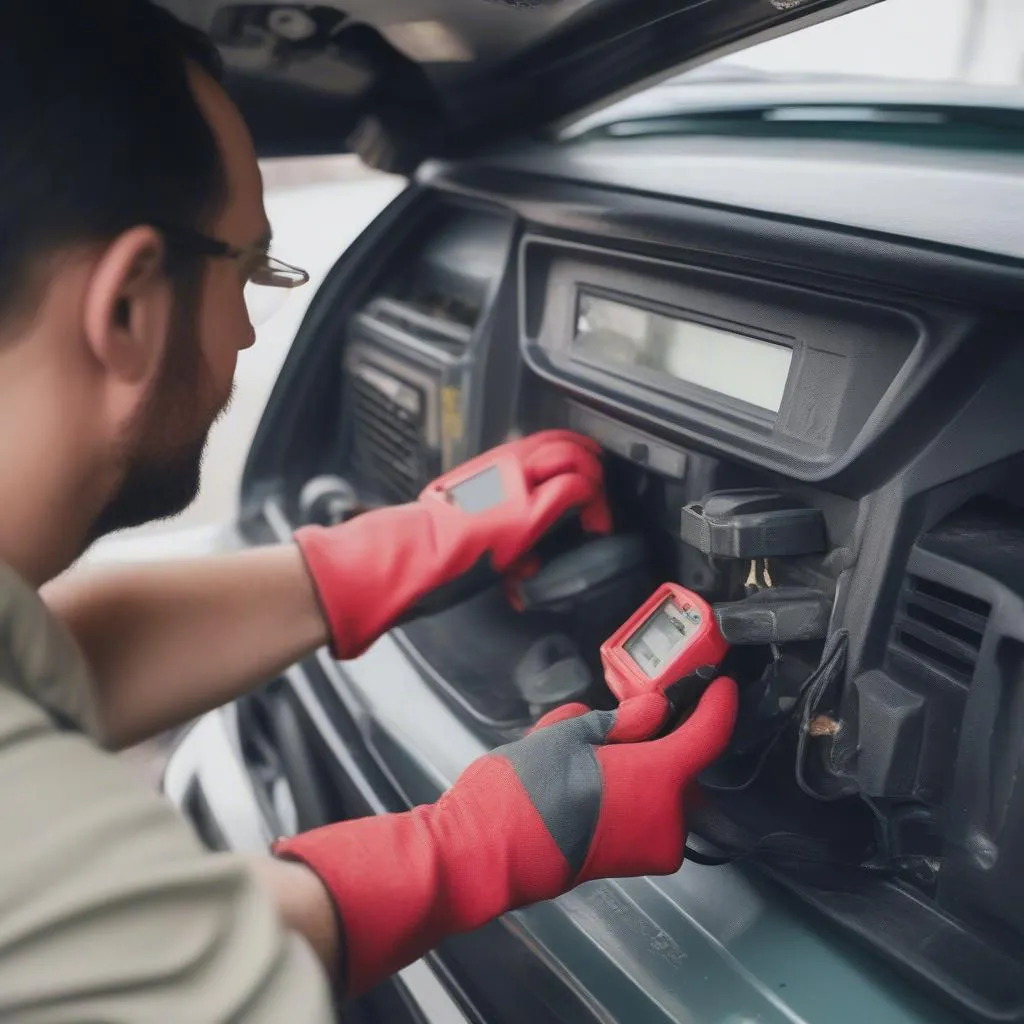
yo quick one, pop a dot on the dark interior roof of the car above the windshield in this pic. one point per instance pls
(402, 81)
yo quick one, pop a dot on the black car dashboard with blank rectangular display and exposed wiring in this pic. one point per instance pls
(870, 376)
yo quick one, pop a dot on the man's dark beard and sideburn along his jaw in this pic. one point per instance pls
(163, 465)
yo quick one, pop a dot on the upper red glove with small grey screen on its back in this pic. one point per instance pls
(411, 560)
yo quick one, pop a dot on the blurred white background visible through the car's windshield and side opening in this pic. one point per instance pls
(319, 207)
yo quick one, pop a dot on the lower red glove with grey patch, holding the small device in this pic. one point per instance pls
(586, 796)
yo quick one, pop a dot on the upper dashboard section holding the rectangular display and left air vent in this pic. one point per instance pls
(653, 357)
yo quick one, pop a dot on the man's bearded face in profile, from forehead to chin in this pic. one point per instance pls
(162, 452)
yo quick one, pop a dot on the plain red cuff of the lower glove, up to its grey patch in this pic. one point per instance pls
(403, 882)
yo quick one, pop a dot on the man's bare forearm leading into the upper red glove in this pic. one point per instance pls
(167, 643)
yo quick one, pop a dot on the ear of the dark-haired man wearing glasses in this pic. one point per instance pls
(127, 311)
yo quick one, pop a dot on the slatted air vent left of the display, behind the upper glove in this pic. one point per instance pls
(388, 424)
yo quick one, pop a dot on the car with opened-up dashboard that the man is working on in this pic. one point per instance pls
(790, 311)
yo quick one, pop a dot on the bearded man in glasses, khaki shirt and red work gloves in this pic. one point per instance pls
(132, 222)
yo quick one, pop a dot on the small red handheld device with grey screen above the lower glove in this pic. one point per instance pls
(669, 637)
